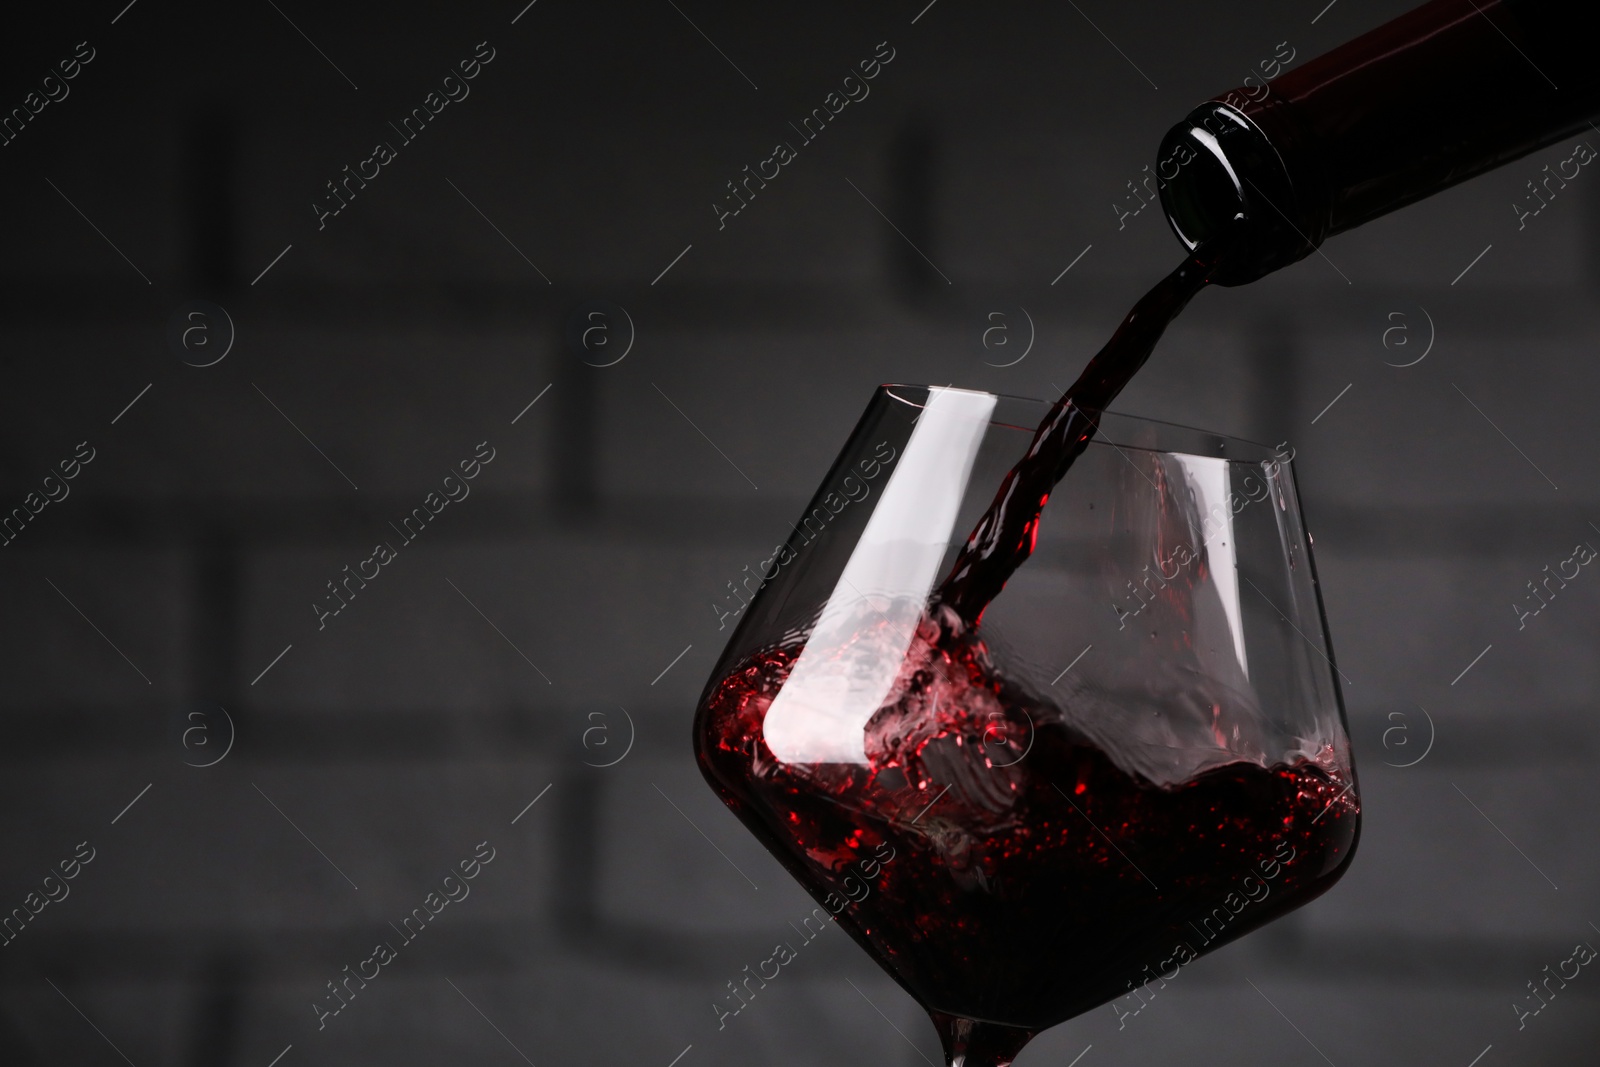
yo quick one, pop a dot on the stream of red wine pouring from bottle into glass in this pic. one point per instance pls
(1006, 535)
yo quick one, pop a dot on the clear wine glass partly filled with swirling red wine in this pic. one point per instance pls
(1135, 756)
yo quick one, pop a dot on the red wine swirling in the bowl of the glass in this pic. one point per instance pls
(1031, 877)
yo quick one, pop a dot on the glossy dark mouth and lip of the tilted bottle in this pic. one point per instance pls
(1217, 166)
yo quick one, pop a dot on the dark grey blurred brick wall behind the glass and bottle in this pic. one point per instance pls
(495, 658)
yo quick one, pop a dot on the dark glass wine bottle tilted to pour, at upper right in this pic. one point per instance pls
(1415, 106)
